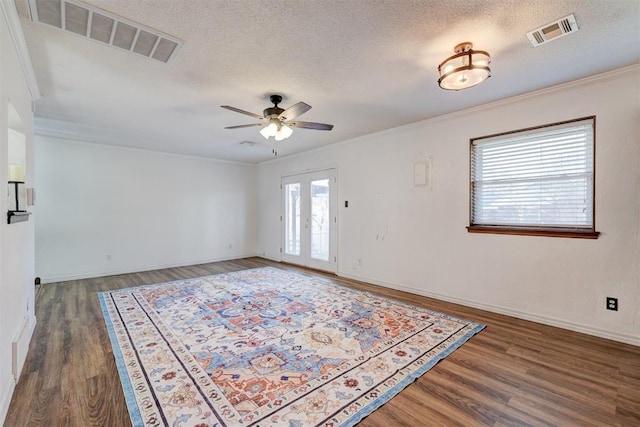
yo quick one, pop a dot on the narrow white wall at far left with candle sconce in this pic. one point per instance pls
(16, 248)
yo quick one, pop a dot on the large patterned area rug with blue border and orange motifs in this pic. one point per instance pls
(267, 347)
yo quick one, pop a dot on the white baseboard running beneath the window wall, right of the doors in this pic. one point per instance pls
(545, 320)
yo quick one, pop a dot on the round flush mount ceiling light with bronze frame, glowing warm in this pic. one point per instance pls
(465, 69)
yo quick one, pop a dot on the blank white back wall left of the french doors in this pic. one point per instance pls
(142, 209)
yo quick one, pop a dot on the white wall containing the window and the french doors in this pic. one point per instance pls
(416, 239)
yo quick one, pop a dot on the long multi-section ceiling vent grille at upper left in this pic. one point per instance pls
(98, 25)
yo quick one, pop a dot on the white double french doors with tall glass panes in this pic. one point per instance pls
(309, 219)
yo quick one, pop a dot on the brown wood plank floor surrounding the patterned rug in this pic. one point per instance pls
(513, 373)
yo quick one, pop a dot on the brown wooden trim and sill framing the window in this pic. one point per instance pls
(543, 230)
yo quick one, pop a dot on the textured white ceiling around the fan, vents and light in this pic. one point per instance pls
(364, 66)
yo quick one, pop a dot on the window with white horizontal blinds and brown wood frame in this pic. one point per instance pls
(535, 181)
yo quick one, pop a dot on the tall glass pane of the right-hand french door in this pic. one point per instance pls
(320, 220)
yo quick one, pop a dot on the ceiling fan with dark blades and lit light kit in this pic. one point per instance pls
(278, 122)
